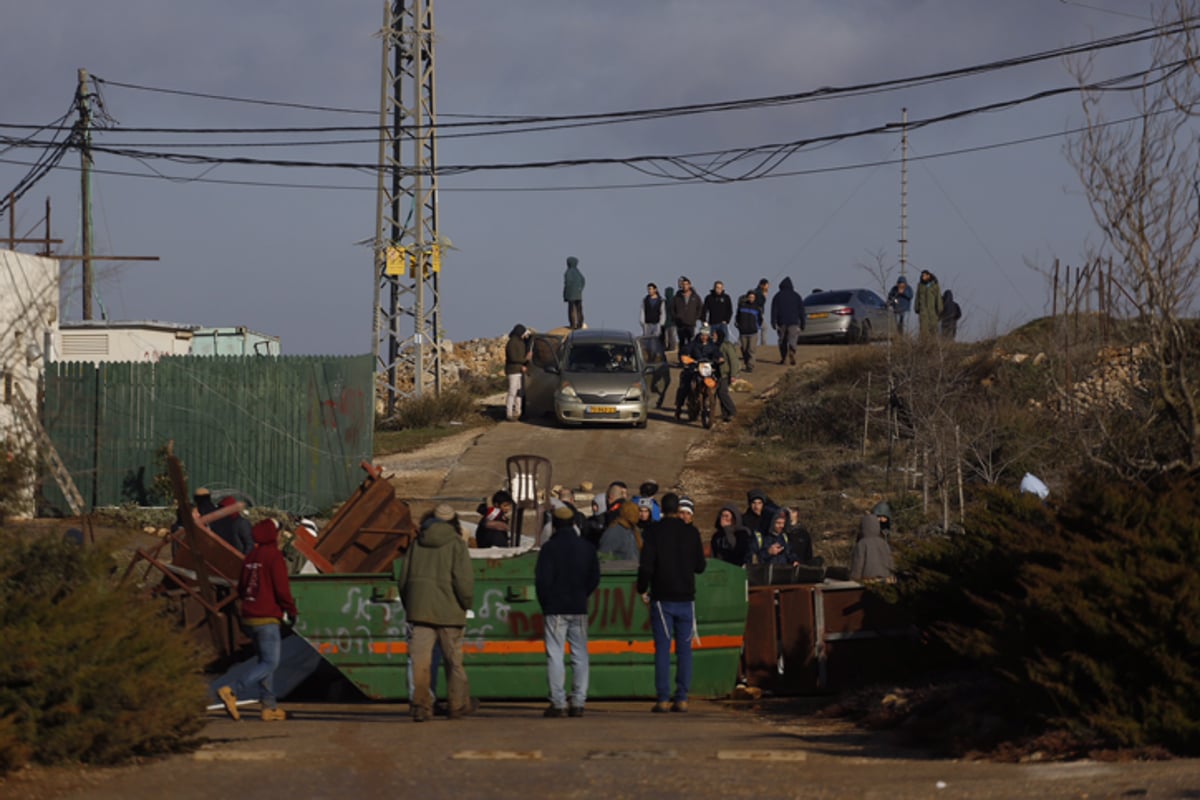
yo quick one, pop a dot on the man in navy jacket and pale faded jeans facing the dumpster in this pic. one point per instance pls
(568, 573)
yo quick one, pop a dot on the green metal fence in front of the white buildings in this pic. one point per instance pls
(285, 432)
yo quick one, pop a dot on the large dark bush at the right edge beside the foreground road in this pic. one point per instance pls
(1089, 613)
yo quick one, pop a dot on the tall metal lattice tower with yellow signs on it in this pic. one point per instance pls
(407, 250)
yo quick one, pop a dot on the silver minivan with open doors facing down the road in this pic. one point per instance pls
(592, 376)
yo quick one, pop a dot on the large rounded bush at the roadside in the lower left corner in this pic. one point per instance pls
(92, 671)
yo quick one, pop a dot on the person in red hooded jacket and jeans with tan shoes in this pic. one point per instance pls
(266, 603)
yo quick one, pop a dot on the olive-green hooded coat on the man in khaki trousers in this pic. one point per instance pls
(437, 584)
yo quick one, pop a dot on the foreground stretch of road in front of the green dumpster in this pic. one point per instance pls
(617, 750)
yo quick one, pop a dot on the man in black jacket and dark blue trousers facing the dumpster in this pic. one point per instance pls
(673, 557)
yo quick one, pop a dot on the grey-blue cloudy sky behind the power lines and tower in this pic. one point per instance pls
(286, 251)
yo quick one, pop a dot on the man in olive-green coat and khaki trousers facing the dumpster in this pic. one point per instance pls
(437, 587)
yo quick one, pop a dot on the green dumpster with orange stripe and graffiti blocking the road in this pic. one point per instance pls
(357, 623)
